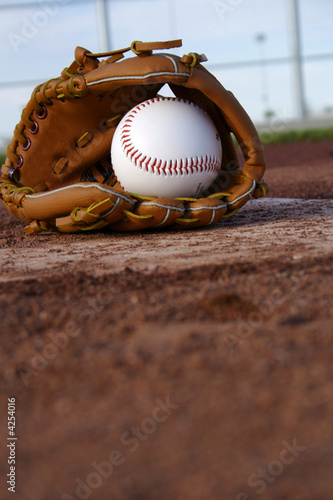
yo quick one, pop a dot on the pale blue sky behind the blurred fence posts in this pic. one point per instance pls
(37, 42)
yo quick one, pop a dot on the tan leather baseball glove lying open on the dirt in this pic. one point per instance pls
(58, 173)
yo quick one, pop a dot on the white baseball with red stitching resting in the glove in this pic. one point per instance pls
(166, 147)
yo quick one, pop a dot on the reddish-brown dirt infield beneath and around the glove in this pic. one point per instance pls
(176, 365)
